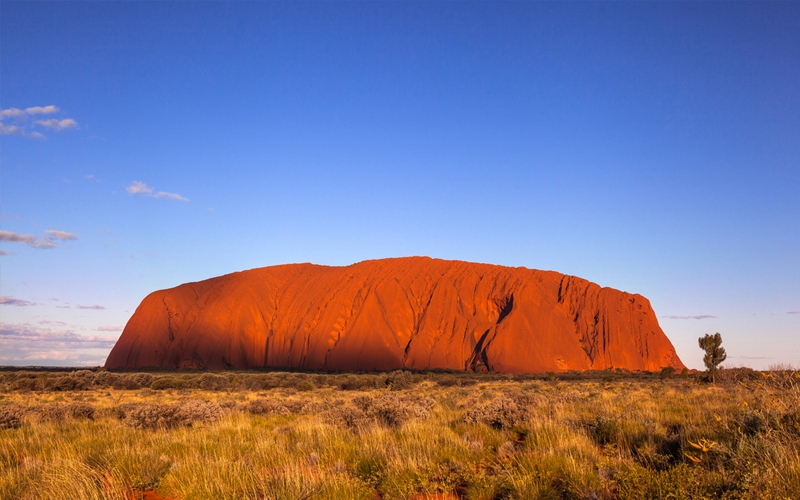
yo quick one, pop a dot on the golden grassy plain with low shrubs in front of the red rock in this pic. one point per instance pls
(359, 436)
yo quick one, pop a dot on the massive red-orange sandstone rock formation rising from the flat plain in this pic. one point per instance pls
(386, 314)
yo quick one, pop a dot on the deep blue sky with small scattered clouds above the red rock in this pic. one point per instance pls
(650, 147)
